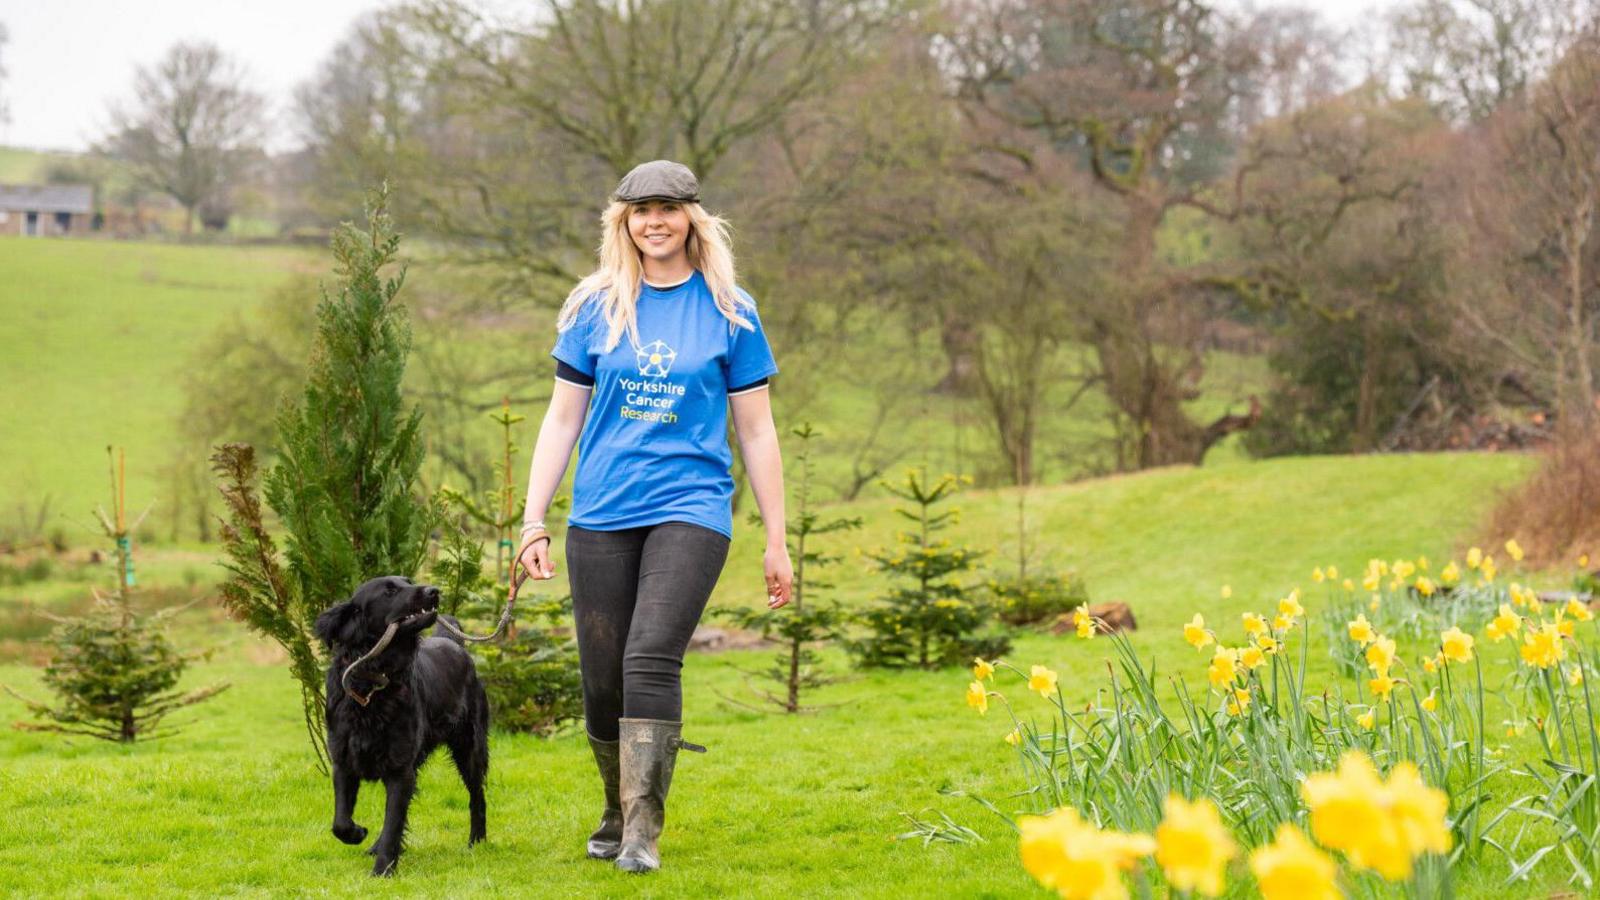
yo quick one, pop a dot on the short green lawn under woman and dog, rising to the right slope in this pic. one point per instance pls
(782, 806)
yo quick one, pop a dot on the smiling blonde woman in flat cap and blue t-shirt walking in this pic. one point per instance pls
(652, 520)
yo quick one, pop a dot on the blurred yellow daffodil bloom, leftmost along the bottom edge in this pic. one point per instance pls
(1076, 859)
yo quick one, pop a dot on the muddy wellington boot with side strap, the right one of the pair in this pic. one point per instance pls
(650, 752)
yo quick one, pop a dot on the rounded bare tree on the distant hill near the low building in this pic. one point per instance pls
(191, 129)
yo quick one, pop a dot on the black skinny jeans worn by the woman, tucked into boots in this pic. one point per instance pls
(638, 597)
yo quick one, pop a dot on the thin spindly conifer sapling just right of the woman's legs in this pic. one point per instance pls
(807, 621)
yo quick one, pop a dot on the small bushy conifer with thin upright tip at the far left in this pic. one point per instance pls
(114, 670)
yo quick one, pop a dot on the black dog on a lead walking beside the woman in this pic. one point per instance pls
(398, 709)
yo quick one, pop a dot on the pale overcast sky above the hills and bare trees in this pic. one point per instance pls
(68, 58)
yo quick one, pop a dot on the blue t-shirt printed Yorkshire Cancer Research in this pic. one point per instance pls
(655, 443)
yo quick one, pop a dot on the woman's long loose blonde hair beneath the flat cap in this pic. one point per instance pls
(615, 284)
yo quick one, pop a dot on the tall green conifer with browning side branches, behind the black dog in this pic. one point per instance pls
(350, 456)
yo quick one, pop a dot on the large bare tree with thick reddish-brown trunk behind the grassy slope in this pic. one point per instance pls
(1145, 95)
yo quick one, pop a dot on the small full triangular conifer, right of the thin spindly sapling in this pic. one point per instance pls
(930, 619)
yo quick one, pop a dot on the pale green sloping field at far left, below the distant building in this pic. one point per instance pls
(97, 334)
